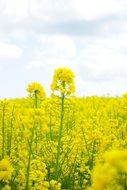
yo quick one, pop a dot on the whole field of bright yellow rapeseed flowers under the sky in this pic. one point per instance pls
(63, 142)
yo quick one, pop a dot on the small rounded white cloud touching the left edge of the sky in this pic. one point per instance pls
(9, 50)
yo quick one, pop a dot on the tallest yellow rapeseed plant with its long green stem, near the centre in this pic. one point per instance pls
(62, 84)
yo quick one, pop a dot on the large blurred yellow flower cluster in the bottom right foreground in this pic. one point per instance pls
(112, 173)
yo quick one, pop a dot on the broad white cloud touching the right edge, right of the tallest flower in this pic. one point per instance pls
(105, 55)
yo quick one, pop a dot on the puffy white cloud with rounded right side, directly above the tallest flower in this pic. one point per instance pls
(58, 50)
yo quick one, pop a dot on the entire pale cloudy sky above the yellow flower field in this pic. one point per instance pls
(87, 36)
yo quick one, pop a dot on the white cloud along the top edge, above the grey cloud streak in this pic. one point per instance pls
(76, 9)
